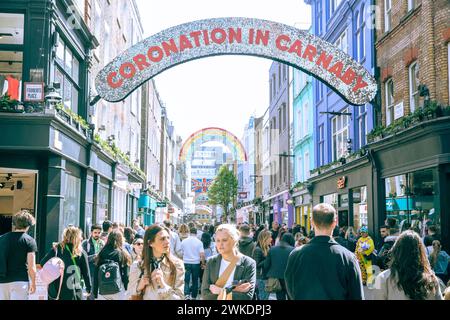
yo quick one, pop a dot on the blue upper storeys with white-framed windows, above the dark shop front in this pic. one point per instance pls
(346, 24)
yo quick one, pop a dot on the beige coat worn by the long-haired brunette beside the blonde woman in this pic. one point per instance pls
(168, 293)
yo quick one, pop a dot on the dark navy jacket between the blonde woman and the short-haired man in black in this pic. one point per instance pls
(276, 261)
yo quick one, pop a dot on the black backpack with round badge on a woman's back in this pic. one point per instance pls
(109, 278)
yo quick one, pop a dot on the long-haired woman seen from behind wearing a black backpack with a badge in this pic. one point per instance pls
(112, 268)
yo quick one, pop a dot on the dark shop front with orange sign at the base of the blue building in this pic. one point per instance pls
(348, 188)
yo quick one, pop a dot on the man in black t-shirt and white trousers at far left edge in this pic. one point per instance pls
(18, 259)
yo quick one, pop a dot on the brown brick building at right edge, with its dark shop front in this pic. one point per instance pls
(411, 147)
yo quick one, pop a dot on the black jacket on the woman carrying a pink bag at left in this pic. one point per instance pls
(71, 288)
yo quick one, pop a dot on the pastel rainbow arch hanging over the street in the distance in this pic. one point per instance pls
(204, 135)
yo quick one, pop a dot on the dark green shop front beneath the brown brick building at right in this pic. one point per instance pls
(414, 178)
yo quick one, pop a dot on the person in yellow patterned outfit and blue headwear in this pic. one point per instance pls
(364, 253)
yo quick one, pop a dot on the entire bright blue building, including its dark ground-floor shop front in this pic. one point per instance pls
(344, 173)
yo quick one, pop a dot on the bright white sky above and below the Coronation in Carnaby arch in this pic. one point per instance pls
(222, 91)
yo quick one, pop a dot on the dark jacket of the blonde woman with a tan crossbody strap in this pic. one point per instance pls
(245, 270)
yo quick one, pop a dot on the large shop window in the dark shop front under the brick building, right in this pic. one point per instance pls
(412, 201)
